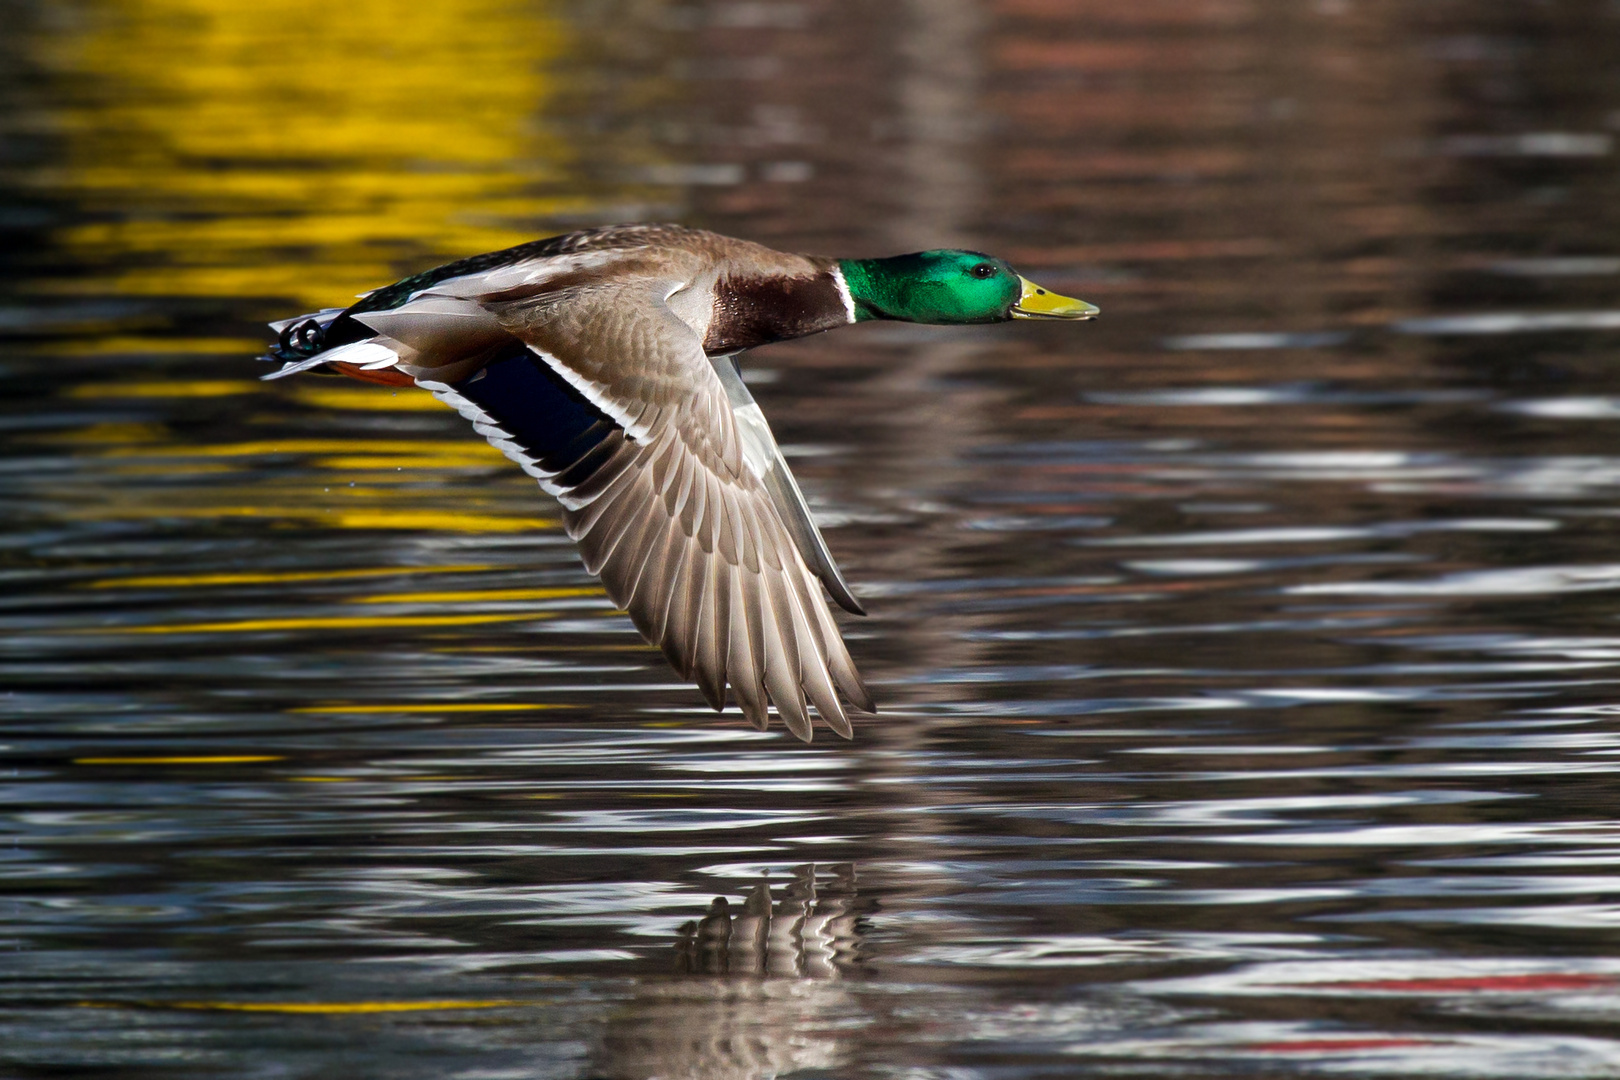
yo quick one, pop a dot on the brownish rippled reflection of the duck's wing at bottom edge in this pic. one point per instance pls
(759, 992)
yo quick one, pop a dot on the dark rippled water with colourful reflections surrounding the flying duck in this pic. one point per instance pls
(1248, 660)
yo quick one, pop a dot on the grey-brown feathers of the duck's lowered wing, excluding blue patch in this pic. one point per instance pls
(684, 534)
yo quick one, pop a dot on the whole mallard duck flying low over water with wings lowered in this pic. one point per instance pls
(605, 364)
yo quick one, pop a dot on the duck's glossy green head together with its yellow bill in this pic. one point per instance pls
(952, 287)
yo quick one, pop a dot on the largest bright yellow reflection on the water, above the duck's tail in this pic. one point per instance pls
(299, 148)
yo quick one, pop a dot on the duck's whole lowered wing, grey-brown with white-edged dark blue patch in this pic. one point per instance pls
(613, 406)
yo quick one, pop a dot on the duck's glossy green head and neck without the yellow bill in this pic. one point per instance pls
(931, 287)
